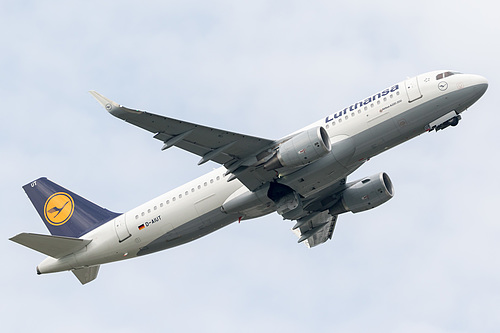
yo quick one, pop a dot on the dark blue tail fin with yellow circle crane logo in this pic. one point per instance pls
(64, 212)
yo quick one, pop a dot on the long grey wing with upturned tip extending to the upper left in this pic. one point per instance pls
(239, 153)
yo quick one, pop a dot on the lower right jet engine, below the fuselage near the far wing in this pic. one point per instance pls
(365, 194)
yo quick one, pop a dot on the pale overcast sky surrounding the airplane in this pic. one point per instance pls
(426, 261)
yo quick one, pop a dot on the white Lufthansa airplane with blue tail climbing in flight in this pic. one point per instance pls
(302, 177)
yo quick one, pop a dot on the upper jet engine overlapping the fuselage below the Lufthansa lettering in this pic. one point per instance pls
(302, 149)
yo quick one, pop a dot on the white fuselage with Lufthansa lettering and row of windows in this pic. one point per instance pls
(359, 131)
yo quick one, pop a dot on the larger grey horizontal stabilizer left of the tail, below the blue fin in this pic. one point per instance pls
(53, 246)
